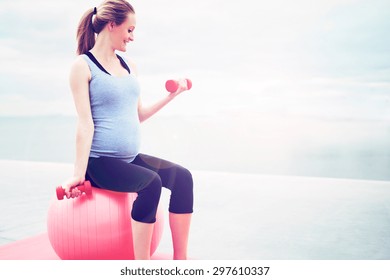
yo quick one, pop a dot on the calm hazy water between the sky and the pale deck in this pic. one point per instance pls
(262, 144)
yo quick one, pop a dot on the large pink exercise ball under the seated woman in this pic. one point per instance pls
(96, 226)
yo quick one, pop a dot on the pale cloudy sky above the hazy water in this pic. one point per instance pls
(323, 58)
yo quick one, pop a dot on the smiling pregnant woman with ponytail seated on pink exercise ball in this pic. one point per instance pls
(107, 99)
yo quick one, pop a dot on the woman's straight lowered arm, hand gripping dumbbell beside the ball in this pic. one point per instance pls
(79, 78)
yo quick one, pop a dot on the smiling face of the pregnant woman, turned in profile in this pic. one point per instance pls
(123, 33)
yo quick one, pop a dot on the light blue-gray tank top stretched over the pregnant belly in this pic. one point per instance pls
(114, 106)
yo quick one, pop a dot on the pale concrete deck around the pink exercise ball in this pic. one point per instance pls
(237, 216)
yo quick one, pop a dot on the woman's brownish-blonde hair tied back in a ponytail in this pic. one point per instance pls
(95, 19)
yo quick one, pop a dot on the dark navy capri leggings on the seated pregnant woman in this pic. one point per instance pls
(145, 175)
